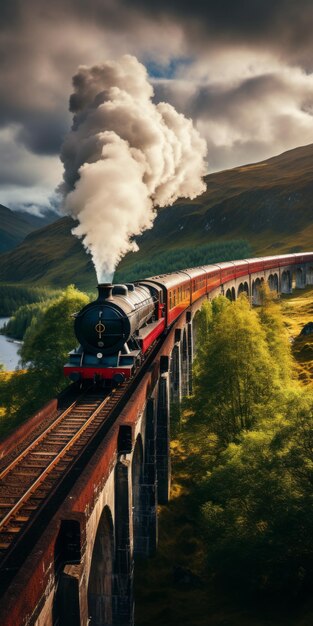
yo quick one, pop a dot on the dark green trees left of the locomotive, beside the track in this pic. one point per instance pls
(47, 342)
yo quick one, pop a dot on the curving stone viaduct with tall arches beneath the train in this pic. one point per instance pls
(81, 570)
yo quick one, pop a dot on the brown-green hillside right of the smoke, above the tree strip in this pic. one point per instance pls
(269, 204)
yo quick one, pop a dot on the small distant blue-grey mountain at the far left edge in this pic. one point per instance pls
(15, 226)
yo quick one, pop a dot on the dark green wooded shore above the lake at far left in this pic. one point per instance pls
(14, 296)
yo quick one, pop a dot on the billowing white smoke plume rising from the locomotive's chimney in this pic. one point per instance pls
(123, 157)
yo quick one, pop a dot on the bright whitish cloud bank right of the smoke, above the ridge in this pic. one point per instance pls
(247, 120)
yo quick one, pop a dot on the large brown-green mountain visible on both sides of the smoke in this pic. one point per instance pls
(268, 205)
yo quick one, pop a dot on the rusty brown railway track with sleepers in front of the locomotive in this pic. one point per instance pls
(34, 475)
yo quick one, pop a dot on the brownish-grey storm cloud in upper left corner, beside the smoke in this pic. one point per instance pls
(41, 45)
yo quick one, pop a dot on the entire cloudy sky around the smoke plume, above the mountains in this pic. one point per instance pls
(242, 70)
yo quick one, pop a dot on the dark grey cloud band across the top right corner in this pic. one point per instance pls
(284, 24)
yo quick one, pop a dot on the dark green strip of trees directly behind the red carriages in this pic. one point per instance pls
(189, 256)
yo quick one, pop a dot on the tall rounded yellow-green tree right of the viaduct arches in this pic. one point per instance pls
(233, 370)
